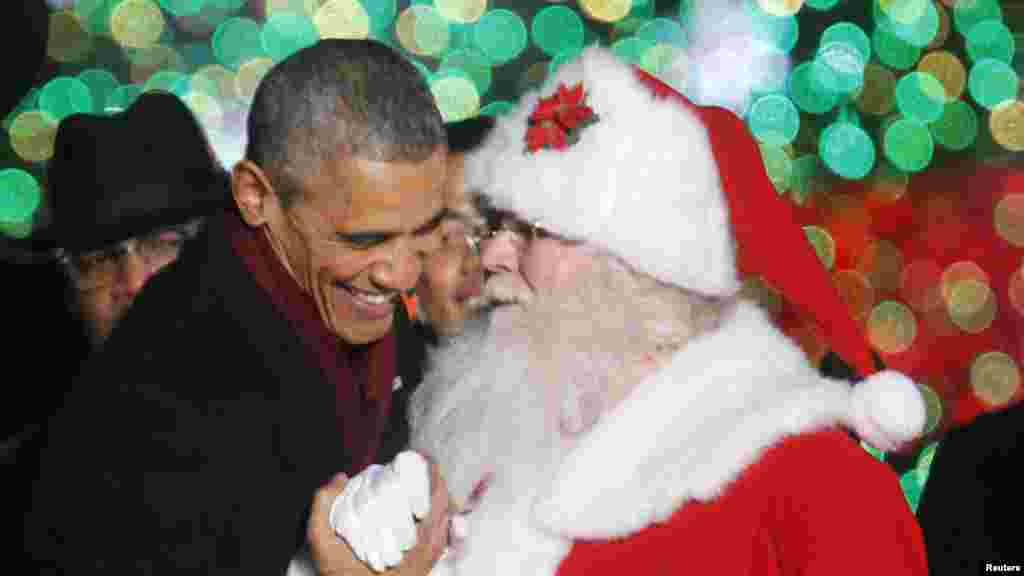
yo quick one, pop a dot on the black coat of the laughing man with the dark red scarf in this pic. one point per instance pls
(195, 442)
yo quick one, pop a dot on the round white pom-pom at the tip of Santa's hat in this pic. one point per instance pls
(887, 410)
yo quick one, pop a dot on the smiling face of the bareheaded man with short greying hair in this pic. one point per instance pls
(358, 237)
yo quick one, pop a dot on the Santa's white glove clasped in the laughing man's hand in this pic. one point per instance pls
(376, 513)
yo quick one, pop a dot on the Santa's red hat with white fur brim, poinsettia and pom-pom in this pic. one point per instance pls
(608, 153)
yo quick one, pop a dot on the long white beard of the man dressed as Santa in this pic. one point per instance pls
(502, 405)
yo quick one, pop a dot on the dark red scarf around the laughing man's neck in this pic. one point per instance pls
(362, 376)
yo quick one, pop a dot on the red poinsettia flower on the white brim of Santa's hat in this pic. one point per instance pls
(556, 120)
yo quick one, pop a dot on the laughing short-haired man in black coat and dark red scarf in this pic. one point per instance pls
(265, 361)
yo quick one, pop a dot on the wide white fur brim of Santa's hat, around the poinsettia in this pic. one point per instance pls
(642, 182)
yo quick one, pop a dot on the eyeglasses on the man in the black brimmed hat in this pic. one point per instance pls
(99, 269)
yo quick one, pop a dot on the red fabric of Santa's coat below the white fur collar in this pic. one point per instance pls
(774, 522)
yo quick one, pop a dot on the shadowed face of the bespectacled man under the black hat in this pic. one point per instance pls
(108, 281)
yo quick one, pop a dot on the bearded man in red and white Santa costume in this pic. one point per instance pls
(627, 410)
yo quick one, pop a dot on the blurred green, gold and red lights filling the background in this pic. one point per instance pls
(894, 127)
